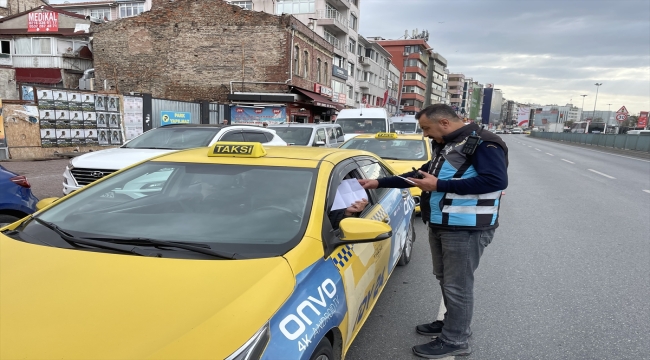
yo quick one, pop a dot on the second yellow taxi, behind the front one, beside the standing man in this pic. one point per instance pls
(402, 152)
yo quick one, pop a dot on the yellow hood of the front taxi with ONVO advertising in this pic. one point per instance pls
(59, 303)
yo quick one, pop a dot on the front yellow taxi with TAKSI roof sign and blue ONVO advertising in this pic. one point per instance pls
(227, 252)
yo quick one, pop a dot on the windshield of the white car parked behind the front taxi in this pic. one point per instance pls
(174, 138)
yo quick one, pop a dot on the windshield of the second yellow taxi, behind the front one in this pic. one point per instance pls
(390, 149)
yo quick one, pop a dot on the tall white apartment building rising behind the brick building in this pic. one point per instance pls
(335, 20)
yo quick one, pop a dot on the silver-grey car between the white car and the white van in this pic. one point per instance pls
(327, 135)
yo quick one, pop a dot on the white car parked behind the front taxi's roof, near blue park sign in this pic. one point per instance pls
(86, 168)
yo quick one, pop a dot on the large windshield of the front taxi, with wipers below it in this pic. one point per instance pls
(256, 211)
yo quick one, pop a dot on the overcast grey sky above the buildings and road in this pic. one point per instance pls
(538, 51)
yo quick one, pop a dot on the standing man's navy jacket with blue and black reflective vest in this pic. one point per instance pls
(469, 187)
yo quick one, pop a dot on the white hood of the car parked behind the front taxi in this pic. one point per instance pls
(115, 159)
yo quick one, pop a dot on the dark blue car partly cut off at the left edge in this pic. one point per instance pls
(16, 198)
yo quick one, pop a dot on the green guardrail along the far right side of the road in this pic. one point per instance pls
(621, 141)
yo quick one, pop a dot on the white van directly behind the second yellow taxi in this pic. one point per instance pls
(364, 121)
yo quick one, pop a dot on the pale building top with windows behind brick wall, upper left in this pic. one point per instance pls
(107, 9)
